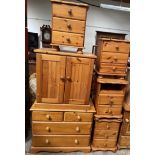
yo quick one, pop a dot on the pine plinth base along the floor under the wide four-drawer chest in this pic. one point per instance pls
(60, 149)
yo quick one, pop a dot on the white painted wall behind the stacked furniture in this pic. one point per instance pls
(98, 19)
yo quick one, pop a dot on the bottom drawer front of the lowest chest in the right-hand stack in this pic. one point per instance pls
(104, 143)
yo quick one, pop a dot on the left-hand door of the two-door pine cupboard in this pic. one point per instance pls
(50, 74)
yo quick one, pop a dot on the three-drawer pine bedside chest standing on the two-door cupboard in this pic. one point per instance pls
(68, 23)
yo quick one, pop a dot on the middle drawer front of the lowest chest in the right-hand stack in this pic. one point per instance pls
(105, 134)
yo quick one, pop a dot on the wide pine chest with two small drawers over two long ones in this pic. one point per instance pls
(61, 127)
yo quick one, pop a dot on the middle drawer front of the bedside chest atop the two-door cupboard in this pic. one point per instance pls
(68, 25)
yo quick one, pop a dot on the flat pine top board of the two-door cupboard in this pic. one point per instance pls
(50, 51)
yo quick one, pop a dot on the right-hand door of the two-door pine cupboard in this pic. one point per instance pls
(78, 80)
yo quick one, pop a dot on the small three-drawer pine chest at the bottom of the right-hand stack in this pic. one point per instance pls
(105, 134)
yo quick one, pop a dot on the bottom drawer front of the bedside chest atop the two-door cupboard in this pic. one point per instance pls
(65, 38)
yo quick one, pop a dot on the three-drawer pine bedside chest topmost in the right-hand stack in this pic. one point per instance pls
(112, 57)
